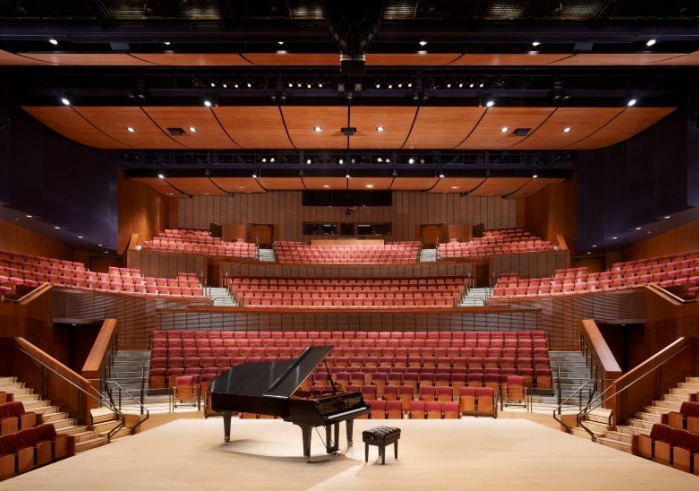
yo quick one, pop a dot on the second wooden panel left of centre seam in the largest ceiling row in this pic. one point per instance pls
(254, 127)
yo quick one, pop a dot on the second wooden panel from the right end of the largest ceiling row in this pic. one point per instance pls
(582, 121)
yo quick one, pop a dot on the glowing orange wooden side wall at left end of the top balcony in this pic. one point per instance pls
(141, 210)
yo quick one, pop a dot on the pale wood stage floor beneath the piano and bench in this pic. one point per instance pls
(470, 453)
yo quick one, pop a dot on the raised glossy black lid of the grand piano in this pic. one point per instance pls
(279, 378)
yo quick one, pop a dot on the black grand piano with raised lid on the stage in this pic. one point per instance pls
(271, 388)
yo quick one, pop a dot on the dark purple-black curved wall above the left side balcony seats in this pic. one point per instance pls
(53, 178)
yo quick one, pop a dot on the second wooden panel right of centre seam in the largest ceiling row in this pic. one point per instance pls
(442, 127)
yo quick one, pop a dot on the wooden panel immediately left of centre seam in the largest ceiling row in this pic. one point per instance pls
(301, 121)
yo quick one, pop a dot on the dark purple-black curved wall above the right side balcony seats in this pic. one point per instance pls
(635, 182)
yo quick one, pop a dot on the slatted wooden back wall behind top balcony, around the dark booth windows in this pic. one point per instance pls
(283, 210)
